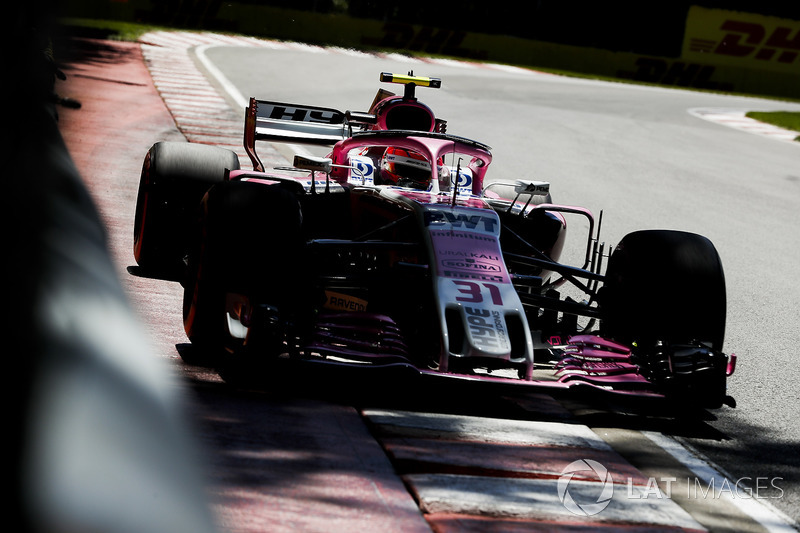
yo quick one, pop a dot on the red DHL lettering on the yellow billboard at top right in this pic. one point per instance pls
(745, 39)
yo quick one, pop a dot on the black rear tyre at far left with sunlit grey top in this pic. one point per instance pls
(175, 176)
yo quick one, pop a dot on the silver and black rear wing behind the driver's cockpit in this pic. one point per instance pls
(293, 123)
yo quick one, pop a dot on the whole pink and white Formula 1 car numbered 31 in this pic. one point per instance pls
(395, 252)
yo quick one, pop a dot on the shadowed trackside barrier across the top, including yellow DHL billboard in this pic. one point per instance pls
(722, 50)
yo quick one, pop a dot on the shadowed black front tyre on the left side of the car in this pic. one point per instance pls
(247, 251)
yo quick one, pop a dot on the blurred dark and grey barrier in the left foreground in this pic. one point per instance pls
(101, 444)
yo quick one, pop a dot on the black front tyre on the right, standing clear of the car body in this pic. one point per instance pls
(665, 296)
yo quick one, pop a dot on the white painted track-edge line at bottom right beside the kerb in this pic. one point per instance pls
(761, 511)
